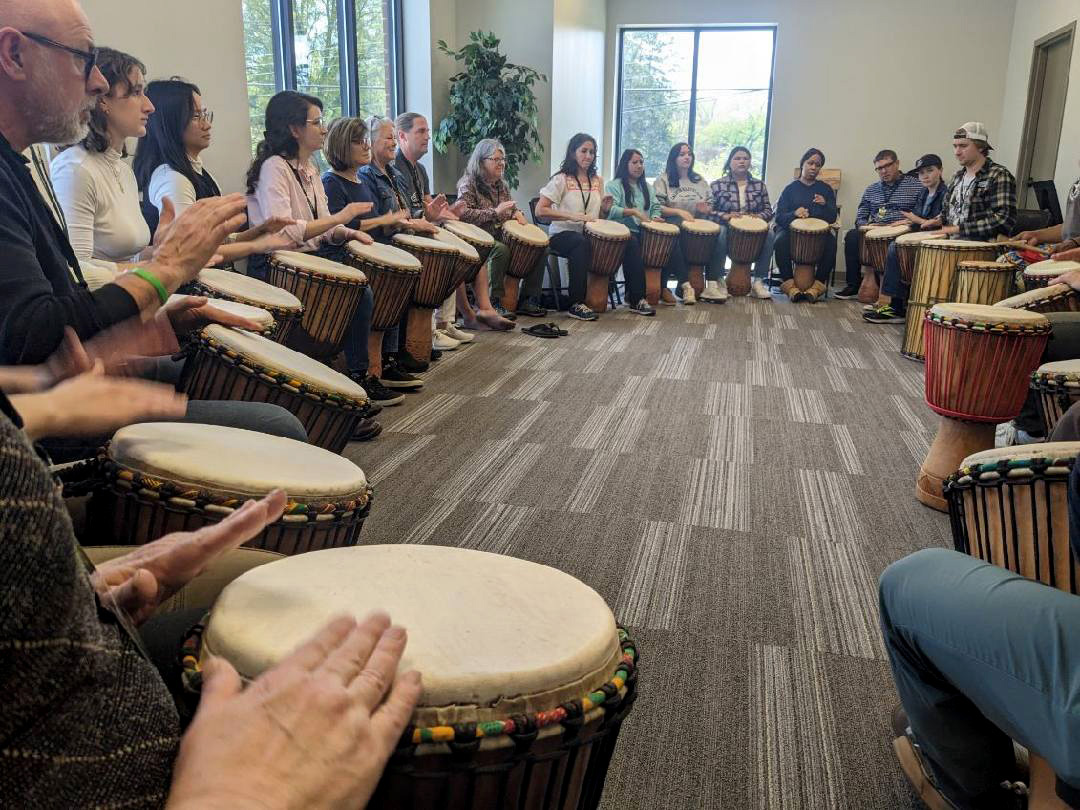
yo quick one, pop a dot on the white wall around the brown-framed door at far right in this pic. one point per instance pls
(1034, 20)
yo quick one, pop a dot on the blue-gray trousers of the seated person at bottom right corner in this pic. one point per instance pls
(981, 657)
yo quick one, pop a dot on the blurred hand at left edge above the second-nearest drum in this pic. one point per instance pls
(92, 404)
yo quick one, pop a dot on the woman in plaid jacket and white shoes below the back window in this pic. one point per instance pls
(739, 194)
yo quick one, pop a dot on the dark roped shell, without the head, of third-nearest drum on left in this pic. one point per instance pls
(212, 375)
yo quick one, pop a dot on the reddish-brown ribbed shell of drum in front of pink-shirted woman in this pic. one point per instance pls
(330, 305)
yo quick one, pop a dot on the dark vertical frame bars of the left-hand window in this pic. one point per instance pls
(285, 53)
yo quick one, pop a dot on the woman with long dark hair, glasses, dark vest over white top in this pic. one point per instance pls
(169, 166)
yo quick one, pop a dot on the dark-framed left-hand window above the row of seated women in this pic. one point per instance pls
(346, 52)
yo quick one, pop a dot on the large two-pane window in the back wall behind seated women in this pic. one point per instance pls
(709, 87)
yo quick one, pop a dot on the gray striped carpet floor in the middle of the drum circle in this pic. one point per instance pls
(733, 480)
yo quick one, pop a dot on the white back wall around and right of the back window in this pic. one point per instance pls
(857, 76)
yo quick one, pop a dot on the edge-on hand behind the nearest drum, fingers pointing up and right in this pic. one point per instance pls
(142, 580)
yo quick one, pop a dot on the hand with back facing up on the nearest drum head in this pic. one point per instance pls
(314, 733)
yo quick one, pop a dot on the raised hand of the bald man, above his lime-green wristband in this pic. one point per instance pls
(195, 237)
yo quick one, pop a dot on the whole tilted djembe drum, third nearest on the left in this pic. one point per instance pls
(238, 366)
